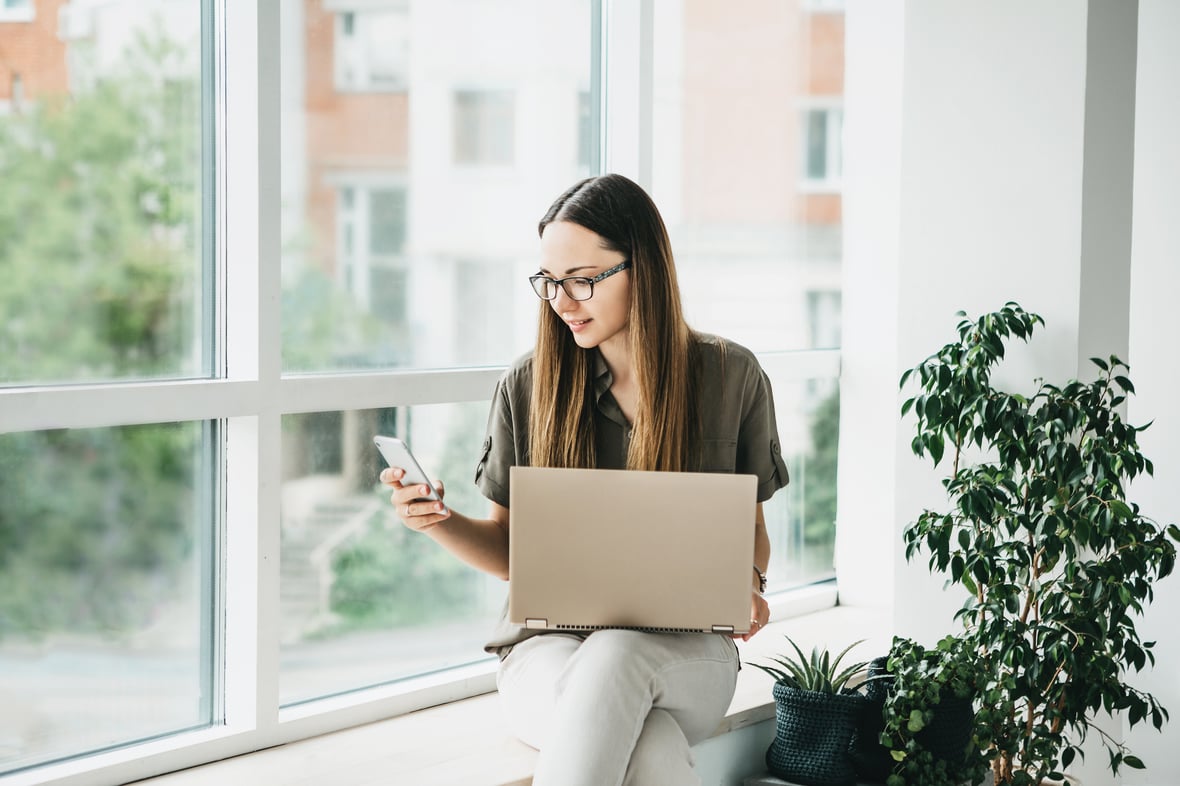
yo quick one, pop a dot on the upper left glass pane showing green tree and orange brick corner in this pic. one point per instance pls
(102, 209)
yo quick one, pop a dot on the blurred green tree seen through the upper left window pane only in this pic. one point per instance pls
(100, 228)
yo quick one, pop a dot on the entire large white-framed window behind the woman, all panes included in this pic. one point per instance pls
(225, 268)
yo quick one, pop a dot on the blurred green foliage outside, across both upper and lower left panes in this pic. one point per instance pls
(101, 278)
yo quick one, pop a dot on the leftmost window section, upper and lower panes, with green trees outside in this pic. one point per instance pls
(109, 525)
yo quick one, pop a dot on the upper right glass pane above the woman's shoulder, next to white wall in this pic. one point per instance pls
(758, 251)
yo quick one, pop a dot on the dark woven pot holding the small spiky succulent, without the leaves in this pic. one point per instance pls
(814, 737)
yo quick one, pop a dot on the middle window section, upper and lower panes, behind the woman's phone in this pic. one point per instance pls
(408, 241)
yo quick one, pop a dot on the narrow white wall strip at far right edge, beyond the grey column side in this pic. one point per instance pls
(1153, 358)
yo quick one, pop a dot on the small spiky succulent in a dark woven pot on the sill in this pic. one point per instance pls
(816, 715)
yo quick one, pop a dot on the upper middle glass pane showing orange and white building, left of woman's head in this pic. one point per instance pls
(431, 154)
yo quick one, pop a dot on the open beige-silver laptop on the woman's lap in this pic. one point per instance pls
(670, 552)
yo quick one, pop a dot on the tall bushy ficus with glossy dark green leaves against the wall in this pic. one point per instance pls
(1056, 561)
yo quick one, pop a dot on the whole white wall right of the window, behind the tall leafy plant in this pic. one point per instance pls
(1002, 174)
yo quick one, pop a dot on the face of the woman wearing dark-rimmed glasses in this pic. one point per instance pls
(569, 250)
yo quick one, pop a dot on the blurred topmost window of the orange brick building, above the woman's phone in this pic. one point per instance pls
(372, 50)
